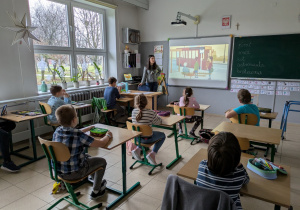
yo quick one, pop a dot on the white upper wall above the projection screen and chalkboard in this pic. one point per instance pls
(254, 16)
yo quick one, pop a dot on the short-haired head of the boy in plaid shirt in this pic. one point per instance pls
(66, 116)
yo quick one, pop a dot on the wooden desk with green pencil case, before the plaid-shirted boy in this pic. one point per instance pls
(120, 137)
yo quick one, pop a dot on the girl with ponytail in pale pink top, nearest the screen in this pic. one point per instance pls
(188, 101)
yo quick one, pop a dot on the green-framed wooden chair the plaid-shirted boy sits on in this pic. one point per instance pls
(57, 151)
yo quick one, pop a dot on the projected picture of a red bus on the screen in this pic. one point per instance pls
(199, 62)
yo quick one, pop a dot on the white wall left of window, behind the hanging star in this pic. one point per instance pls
(17, 70)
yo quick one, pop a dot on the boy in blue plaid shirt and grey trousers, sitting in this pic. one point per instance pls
(80, 164)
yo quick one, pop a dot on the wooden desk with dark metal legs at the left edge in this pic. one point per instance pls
(20, 118)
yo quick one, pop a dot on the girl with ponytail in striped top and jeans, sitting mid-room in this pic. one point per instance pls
(140, 115)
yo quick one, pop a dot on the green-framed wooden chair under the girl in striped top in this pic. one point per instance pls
(146, 131)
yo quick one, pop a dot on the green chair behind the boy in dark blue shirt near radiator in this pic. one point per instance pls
(100, 107)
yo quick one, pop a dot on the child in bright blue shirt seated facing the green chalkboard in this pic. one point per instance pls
(244, 97)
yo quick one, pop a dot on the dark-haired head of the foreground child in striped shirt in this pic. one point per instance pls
(224, 154)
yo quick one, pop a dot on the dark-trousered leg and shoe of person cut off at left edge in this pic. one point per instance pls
(5, 128)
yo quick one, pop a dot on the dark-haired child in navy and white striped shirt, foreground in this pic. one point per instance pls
(223, 170)
